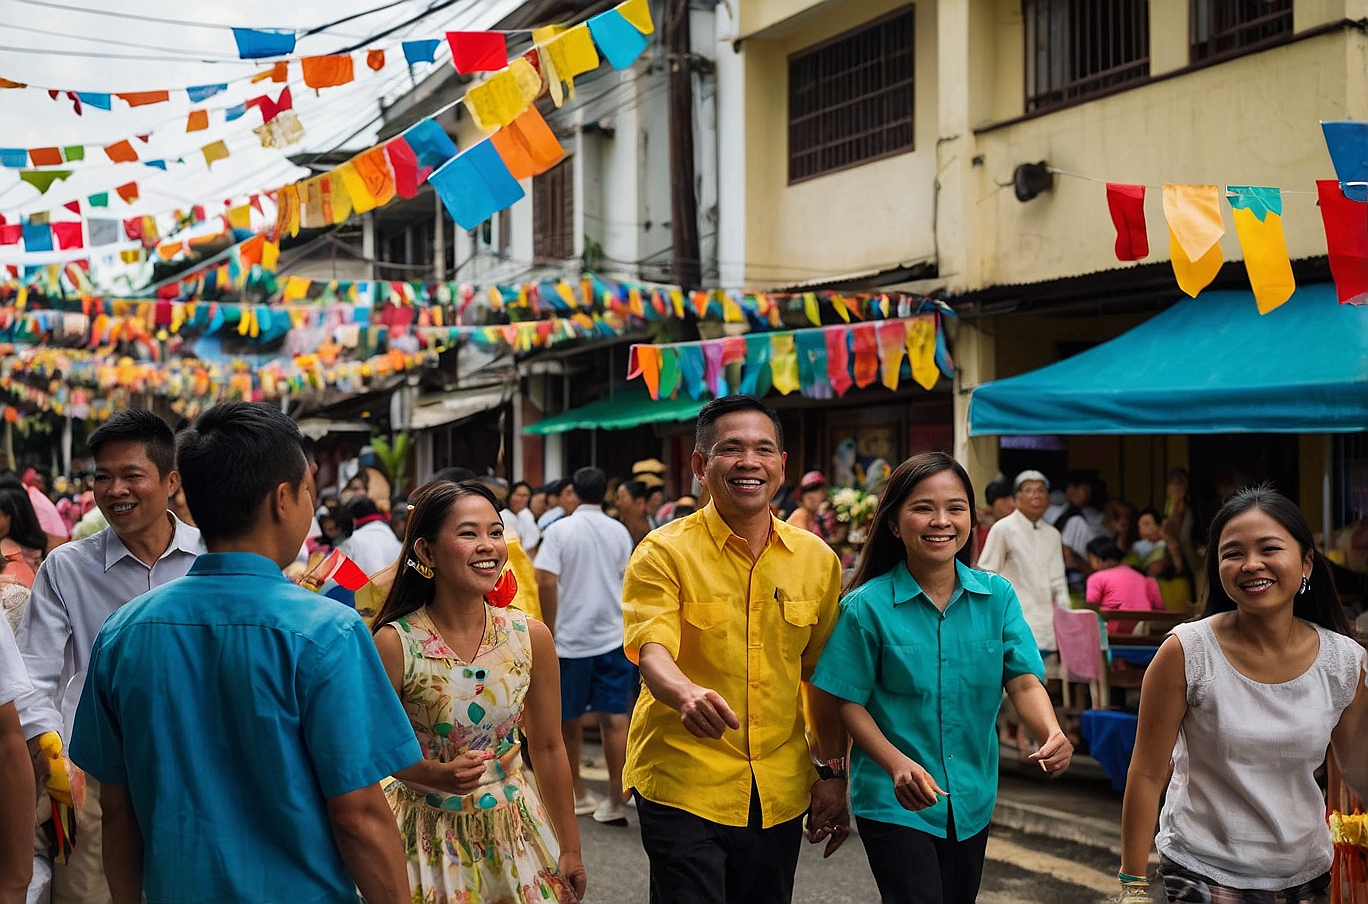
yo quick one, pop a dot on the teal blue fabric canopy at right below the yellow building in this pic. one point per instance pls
(1206, 366)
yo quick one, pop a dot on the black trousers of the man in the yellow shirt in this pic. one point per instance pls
(701, 862)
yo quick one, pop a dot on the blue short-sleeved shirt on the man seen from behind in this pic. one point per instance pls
(233, 705)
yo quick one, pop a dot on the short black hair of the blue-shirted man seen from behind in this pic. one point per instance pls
(232, 459)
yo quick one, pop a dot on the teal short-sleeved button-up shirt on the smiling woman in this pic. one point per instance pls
(934, 683)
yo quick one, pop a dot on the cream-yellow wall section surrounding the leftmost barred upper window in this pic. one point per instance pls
(869, 217)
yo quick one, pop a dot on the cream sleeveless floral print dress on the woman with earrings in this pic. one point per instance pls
(492, 846)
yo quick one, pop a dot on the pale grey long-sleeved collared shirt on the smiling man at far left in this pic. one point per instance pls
(79, 586)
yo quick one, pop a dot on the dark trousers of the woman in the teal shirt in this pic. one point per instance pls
(915, 868)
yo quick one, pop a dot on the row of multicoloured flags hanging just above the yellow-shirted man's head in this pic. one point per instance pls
(820, 363)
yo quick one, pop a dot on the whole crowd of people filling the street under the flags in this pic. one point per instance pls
(207, 730)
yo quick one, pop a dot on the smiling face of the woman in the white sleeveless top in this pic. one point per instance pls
(1261, 563)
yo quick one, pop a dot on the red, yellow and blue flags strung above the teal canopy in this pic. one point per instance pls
(1196, 226)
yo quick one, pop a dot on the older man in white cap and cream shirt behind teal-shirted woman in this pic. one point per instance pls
(1029, 553)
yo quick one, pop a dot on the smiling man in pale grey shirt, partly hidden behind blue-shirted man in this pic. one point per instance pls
(81, 585)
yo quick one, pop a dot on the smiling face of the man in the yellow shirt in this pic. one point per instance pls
(745, 468)
